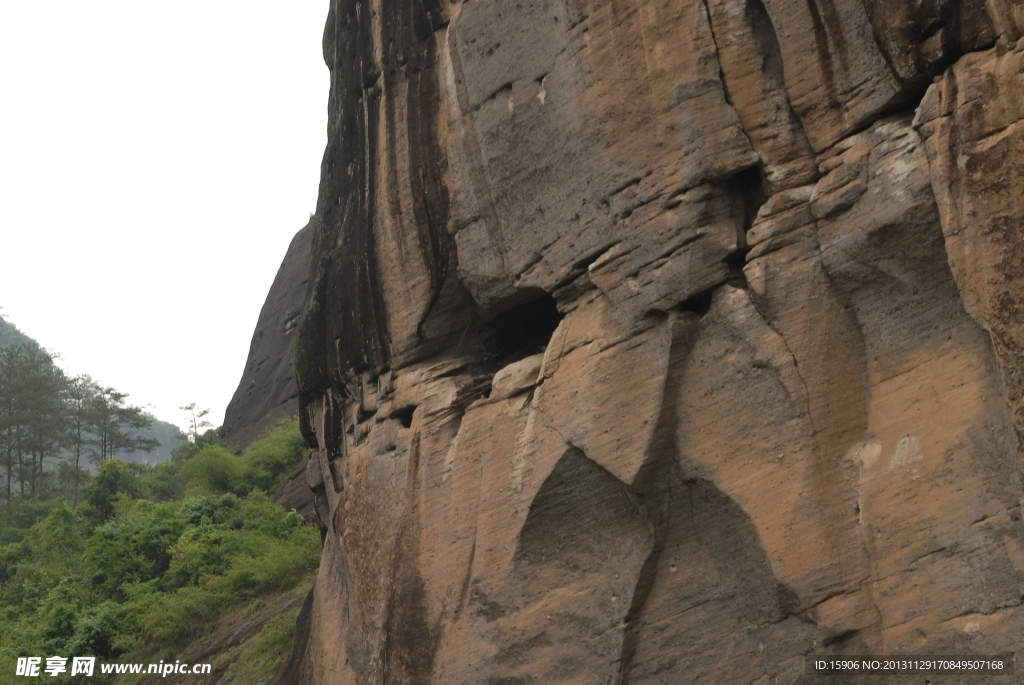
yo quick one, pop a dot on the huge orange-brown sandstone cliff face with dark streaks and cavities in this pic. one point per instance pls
(665, 342)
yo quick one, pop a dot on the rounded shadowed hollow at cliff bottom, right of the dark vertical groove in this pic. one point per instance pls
(712, 566)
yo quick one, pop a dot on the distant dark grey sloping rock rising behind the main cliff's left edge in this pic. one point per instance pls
(268, 391)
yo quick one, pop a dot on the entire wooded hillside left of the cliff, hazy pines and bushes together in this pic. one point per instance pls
(126, 562)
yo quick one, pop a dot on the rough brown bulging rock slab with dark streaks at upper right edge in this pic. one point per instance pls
(973, 120)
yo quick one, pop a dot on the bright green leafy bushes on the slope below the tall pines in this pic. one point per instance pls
(151, 556)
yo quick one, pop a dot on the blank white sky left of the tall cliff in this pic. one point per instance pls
(156, 159)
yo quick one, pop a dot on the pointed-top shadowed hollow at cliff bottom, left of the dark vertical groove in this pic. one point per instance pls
(586, 537)
